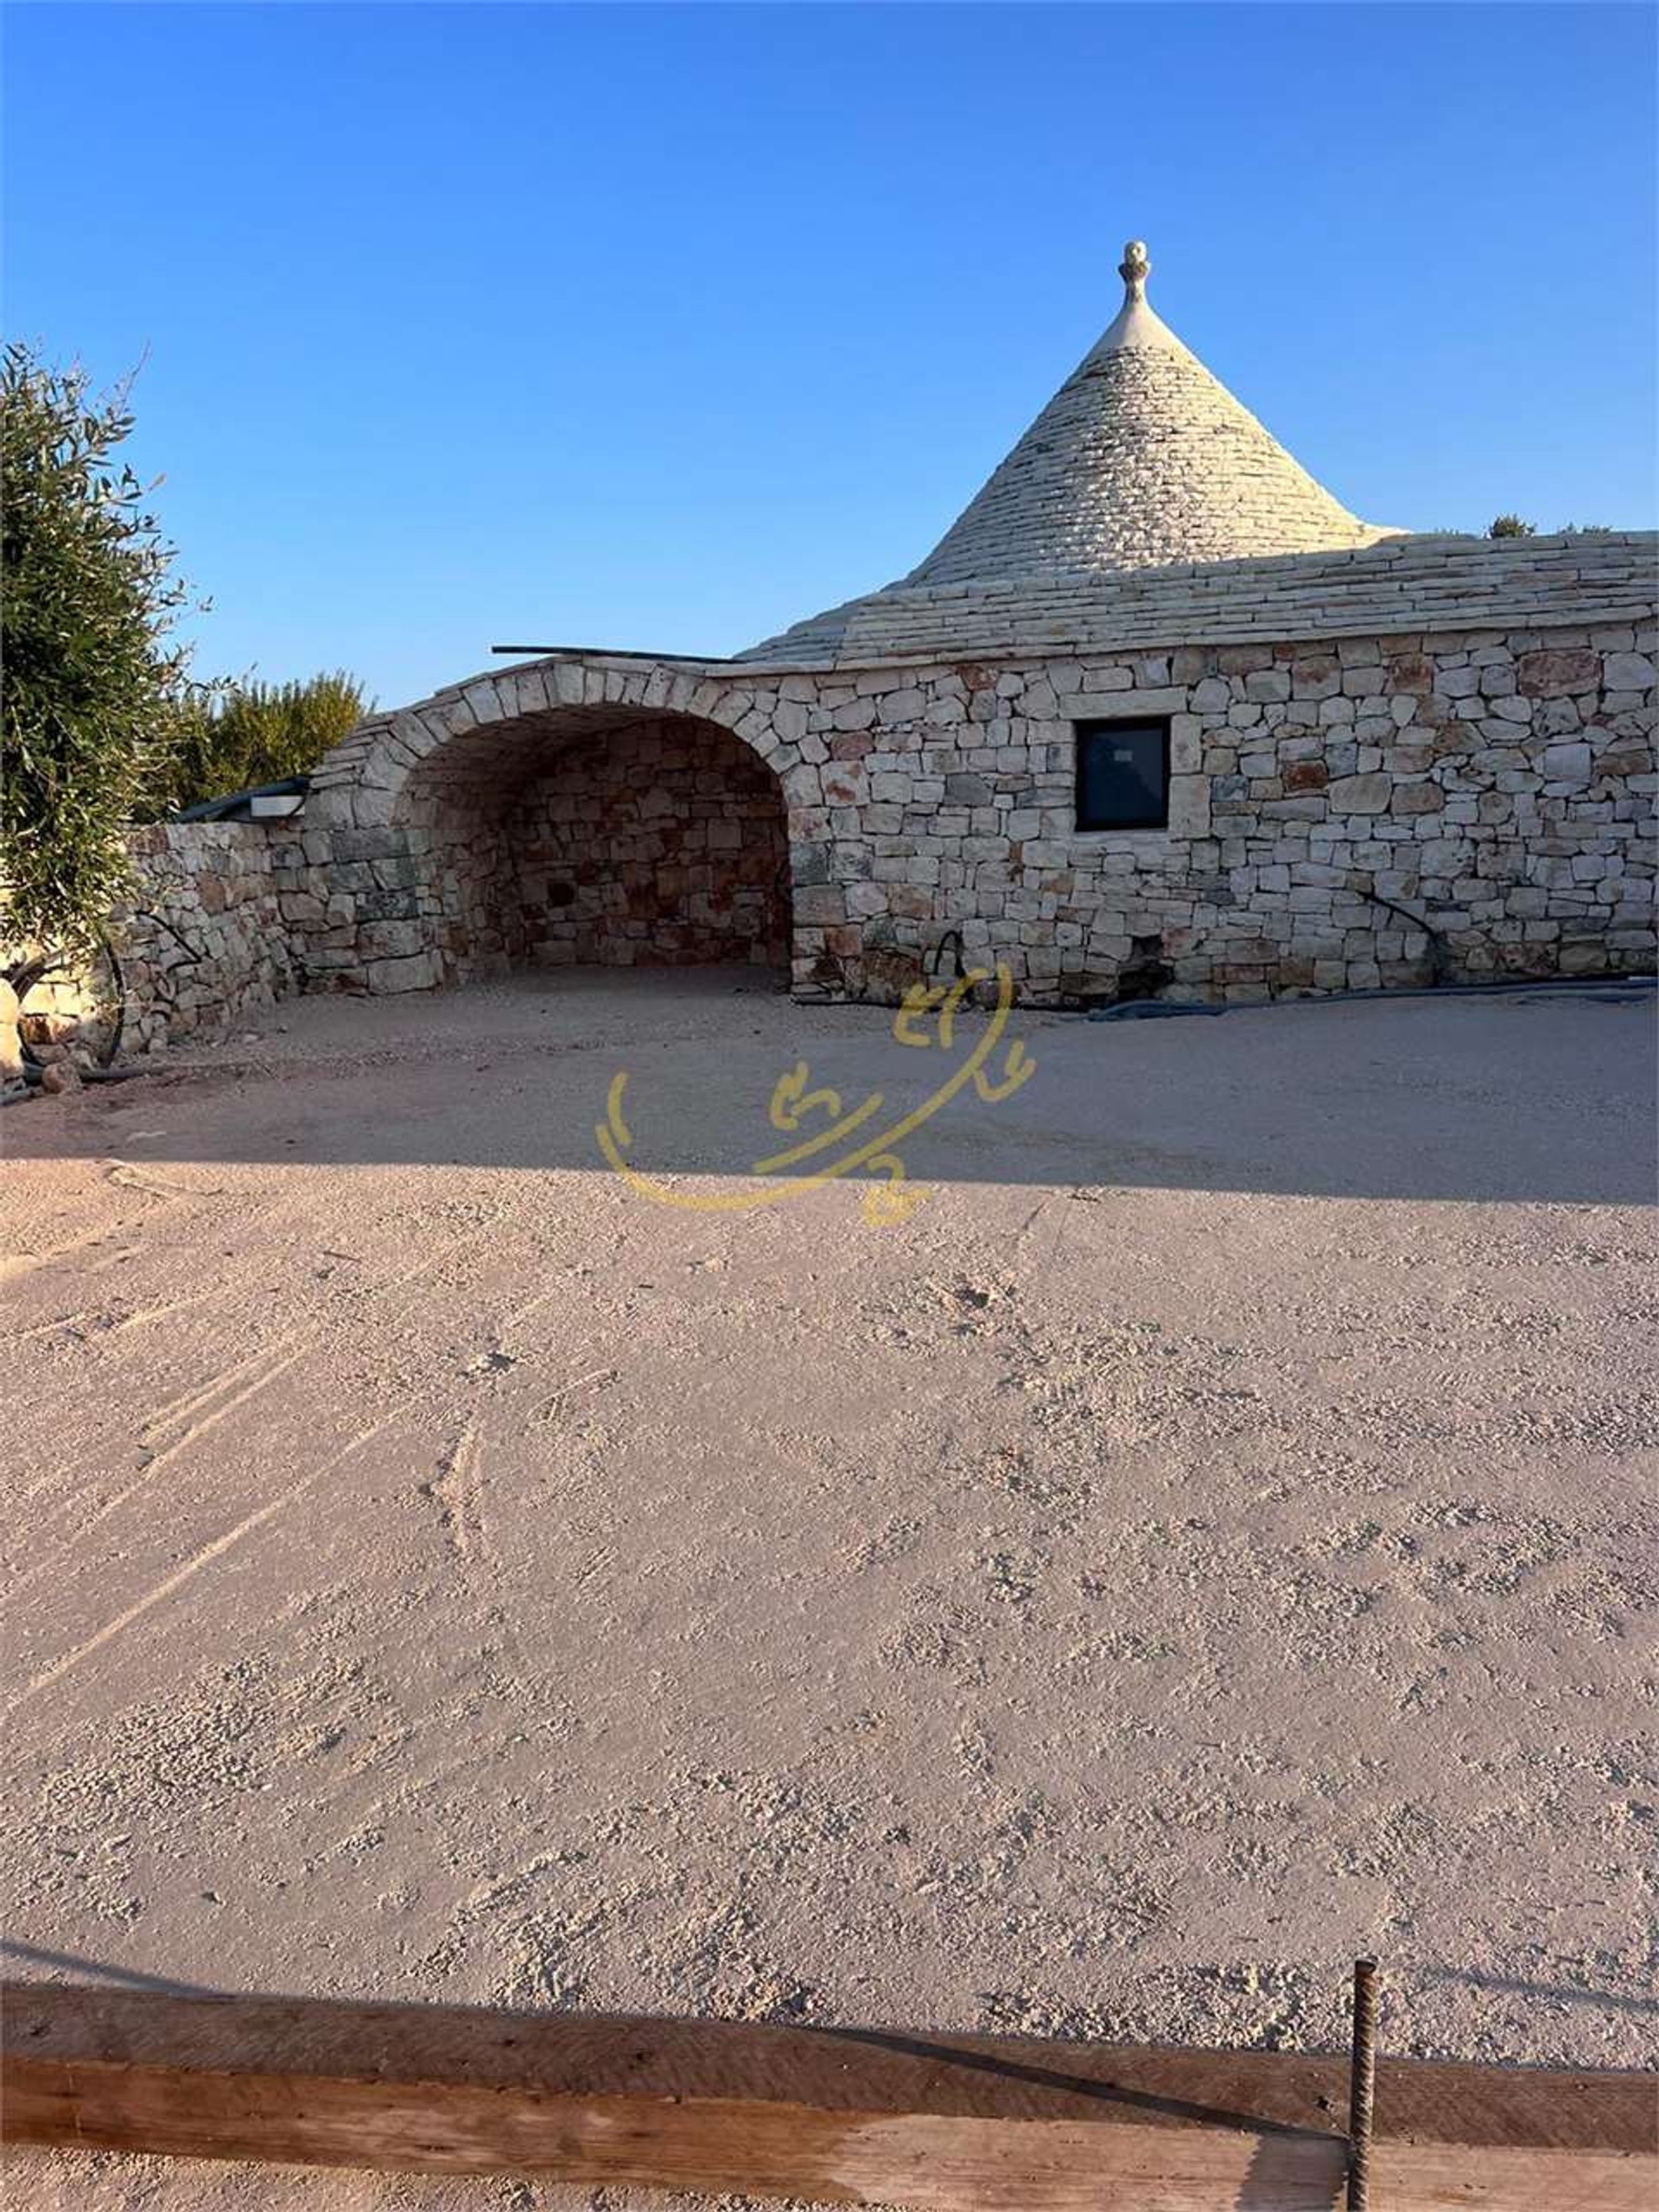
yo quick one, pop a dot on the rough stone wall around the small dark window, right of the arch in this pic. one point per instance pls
(1496, 786)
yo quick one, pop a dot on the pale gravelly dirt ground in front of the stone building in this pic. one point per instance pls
(1209, 1538)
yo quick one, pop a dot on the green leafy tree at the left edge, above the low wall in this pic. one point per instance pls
(92, 674)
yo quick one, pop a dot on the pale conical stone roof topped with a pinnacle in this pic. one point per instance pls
(1140, 461)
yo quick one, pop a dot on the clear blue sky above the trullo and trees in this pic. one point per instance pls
(671, 326)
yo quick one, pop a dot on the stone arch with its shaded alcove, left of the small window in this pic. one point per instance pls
(563, 813)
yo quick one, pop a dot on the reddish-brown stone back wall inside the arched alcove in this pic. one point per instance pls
(656, 848)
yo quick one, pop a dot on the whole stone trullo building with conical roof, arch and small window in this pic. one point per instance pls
(1158, 716)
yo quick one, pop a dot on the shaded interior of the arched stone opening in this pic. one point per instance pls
(596, 837)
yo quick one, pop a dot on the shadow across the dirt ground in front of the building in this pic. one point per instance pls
(1505, 1098)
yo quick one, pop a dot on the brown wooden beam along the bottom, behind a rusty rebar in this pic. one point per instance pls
(853, 2116)
